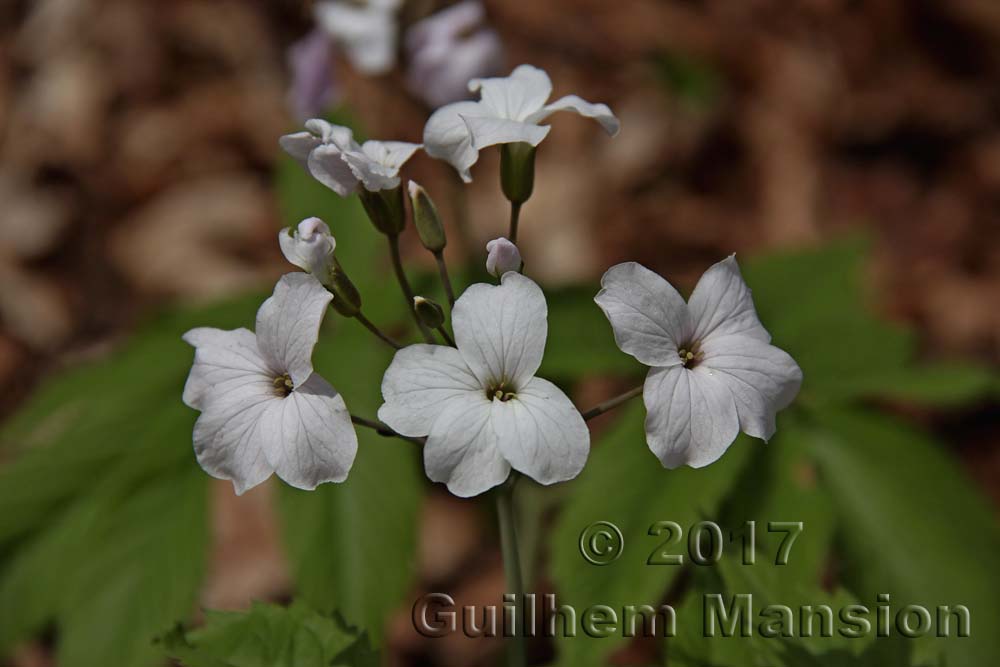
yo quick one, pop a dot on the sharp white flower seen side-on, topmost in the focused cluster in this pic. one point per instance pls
(510, 111)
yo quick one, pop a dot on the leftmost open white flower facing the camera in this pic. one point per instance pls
(263, 409)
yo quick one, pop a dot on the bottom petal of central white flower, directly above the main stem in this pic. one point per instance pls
(461, 449)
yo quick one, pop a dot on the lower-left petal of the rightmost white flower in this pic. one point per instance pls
(690, 416)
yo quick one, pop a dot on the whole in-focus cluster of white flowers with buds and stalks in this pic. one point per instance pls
(474, 402)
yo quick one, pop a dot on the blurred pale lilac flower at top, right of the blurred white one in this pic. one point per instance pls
(449, 48)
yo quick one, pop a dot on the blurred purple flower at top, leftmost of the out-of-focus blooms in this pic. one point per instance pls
(313, 88)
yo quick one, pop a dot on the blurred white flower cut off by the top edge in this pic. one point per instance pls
(367, 33)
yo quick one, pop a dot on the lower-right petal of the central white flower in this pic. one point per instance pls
(541, 433)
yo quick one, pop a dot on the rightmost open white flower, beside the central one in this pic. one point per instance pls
(713, 372)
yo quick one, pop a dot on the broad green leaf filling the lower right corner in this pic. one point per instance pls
(911, 525)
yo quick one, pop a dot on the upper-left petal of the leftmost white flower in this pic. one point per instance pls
(222, 360)
